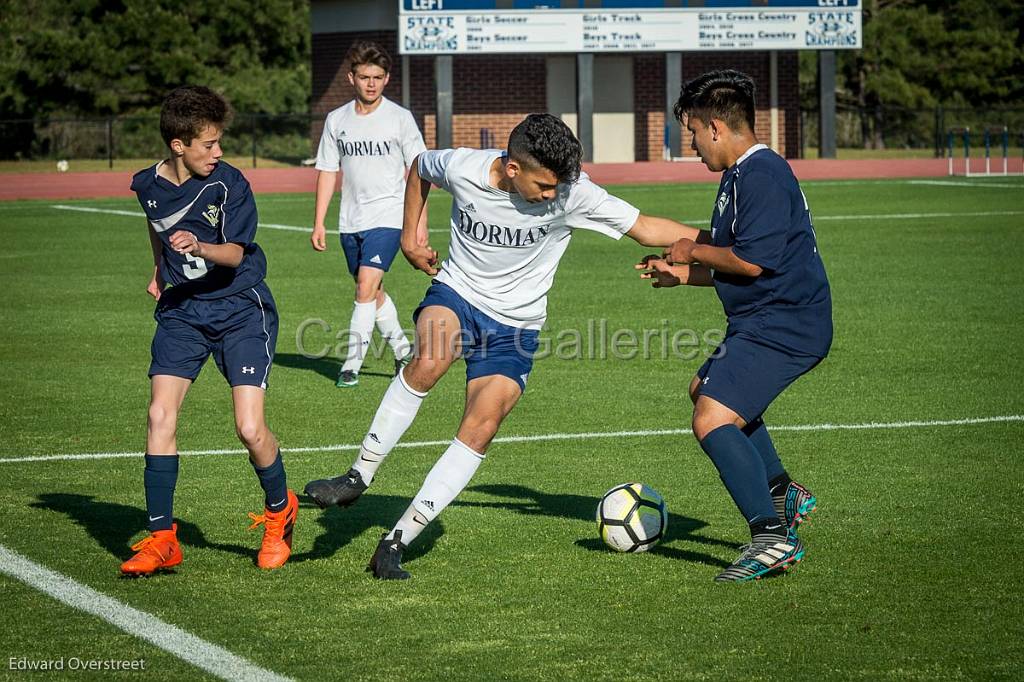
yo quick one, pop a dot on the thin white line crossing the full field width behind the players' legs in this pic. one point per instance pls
(587, 436)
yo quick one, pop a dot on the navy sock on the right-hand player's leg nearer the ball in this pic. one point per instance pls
(743, 472)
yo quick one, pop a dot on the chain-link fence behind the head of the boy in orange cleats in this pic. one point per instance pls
(286, 139)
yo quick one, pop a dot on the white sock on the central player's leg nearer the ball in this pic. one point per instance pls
(448, 479)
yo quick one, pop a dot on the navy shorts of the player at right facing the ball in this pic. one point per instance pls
(746, 376)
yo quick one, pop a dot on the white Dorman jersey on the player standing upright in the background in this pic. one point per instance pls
(373, 153)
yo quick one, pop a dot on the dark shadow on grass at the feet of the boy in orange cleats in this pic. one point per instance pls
(114, 526)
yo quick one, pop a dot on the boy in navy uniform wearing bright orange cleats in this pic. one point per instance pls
(202, 222)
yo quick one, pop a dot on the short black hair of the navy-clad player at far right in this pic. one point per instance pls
(726, 95)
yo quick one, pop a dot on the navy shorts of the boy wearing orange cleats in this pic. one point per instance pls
(240, 330)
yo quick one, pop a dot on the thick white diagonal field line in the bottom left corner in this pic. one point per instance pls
(187, 647)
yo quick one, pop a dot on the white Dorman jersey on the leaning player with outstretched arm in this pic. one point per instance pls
(504, 250)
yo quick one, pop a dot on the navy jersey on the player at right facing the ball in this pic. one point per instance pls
(763, 216)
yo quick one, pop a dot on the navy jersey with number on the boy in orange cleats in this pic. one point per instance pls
(218, 209)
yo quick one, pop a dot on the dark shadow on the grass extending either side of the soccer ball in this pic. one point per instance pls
(529, 501)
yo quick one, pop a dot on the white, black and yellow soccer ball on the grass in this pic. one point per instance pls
(632, 518)
